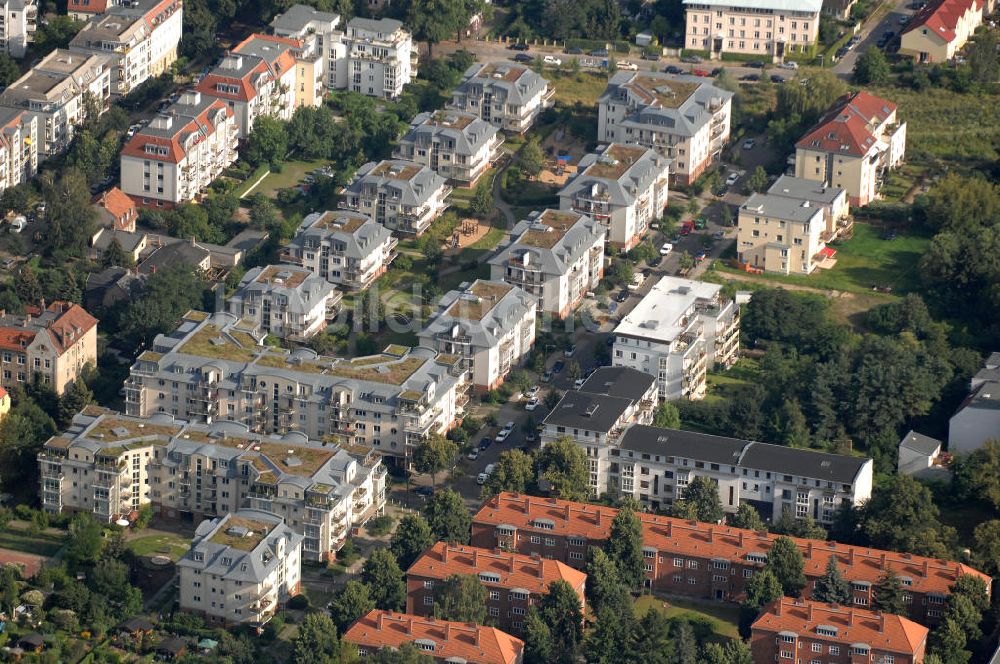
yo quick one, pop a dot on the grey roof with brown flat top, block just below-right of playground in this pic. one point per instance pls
(623, 190)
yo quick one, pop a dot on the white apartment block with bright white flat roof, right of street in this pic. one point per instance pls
(679, 330)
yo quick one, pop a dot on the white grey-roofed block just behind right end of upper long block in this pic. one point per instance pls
(490, 324)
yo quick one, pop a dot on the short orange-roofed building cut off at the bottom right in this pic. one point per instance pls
(797, 630)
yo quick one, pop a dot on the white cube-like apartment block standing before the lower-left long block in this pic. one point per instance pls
(240, 569)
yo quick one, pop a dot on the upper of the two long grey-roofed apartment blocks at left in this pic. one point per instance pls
(215, 368)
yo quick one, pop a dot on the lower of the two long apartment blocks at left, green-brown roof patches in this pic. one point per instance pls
(111, 465)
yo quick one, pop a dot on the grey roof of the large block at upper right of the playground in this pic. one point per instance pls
(641, 89)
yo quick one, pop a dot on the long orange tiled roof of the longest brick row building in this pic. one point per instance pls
(705, 540)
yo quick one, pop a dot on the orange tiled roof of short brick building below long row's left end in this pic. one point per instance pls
(512, 570)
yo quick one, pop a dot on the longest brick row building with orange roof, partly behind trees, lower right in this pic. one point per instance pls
(701, 559)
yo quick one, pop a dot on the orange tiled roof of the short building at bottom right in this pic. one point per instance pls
(880, 631)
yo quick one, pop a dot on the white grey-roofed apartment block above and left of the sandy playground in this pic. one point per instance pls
(504, 94)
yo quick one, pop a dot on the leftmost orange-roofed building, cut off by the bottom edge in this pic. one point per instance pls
(443, 640)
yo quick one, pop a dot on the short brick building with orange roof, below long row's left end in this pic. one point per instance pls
(513, 582)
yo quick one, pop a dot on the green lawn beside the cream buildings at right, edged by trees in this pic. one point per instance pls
(863, 261)
